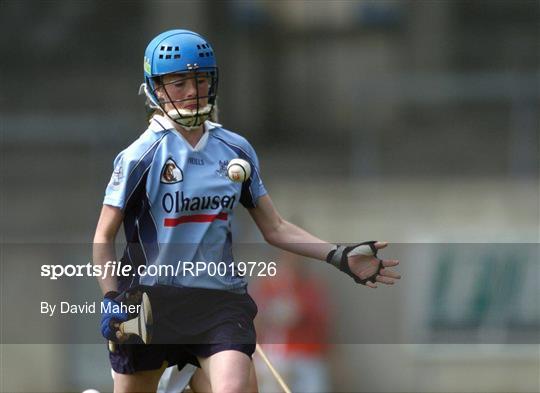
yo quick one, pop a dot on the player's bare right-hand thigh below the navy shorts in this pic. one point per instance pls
(230, 372)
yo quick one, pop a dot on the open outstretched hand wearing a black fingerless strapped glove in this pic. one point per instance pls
(361, 263)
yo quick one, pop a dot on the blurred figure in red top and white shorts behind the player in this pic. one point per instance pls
(292, 327)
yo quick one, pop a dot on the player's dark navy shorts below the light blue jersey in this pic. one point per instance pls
(189, 323)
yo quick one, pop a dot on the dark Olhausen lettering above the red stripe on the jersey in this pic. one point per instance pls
(176, 202)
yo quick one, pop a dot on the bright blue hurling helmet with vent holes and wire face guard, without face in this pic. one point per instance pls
(177, 52)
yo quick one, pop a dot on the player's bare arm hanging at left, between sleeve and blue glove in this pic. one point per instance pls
(108, 225)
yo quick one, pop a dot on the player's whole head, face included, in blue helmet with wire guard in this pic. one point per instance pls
(176, 59)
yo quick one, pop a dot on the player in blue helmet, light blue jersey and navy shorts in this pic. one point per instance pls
(171, 192)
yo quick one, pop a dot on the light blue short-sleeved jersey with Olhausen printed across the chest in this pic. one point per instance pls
(178, 203)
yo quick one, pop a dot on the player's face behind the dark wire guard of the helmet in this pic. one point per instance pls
(184, 90)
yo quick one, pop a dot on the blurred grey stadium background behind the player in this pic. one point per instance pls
(411, 121)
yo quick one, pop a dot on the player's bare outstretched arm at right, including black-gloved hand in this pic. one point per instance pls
(358, 261)
